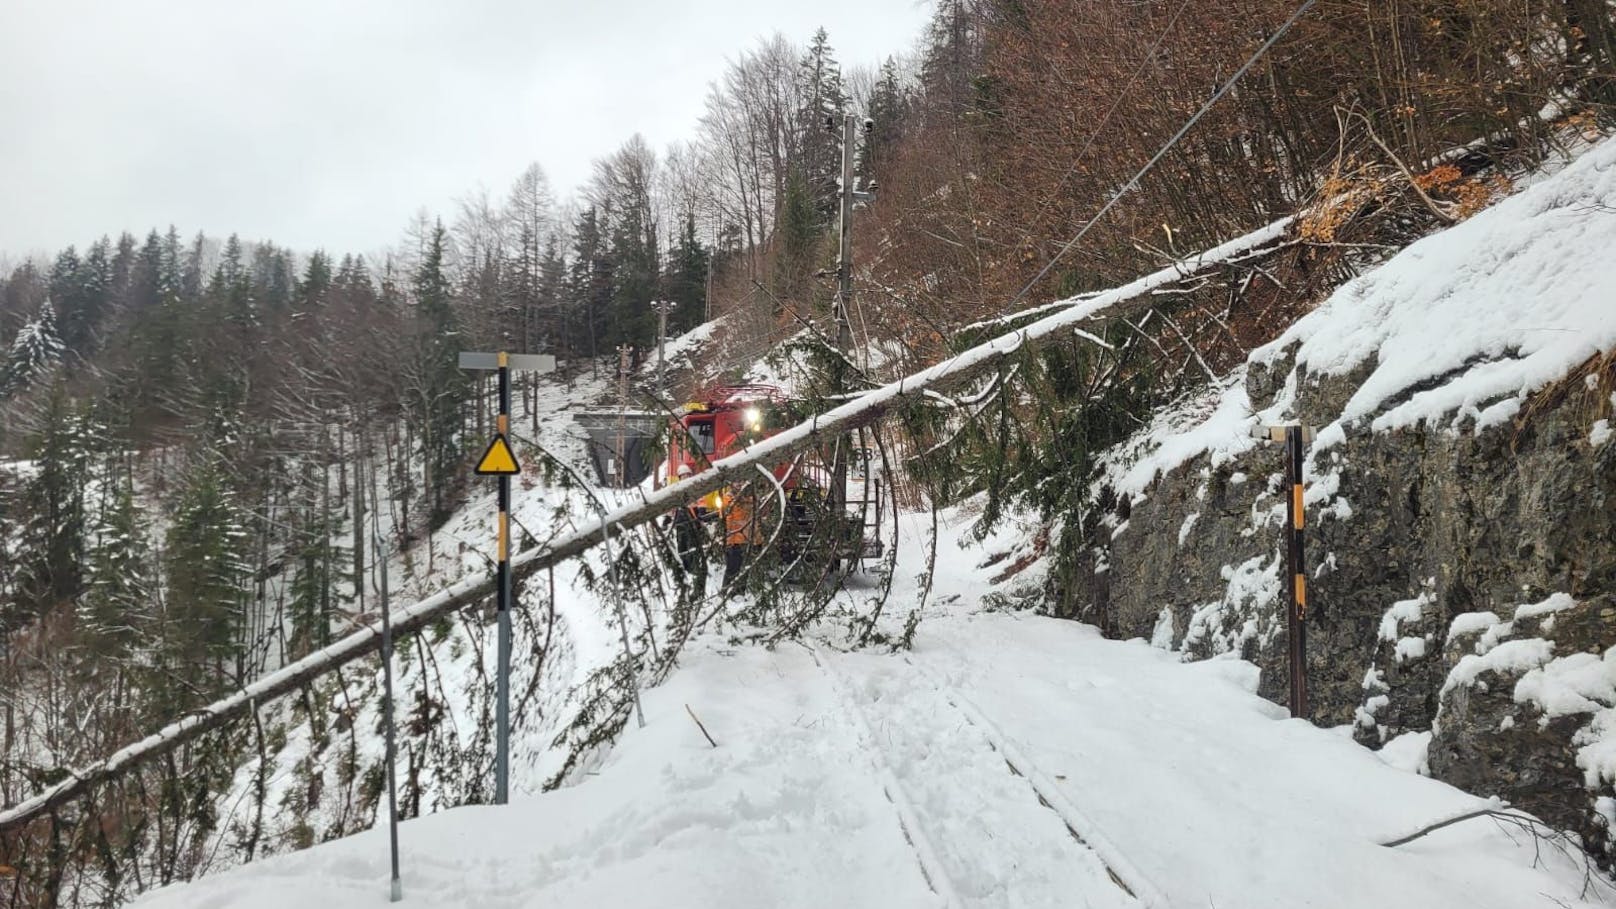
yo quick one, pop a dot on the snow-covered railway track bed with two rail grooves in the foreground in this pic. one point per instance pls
(1009, 761)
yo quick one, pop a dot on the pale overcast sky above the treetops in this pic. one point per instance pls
(327, 124)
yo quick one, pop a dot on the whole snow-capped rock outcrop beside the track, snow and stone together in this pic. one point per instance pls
(1447, 465)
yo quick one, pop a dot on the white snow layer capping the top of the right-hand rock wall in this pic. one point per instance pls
(1457, 331)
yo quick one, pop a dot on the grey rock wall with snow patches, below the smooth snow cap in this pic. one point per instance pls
(1463, 578)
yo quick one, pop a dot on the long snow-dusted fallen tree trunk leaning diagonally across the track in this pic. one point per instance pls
(857, 413)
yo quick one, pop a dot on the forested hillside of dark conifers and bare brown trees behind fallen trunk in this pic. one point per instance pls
(190, 423)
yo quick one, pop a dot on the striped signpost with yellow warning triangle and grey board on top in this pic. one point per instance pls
(500, 462)
